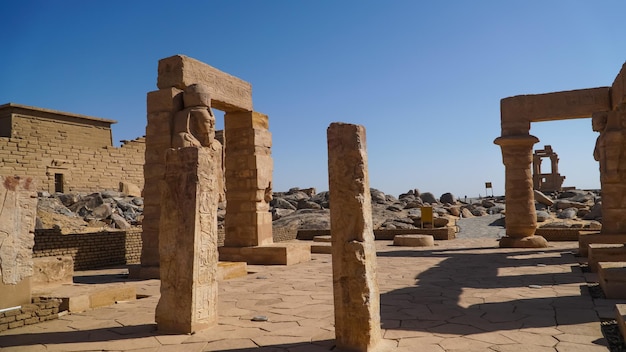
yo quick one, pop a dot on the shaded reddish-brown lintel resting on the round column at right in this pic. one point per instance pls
(555, 106)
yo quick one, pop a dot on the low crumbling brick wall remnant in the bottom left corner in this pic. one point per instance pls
(40, 310)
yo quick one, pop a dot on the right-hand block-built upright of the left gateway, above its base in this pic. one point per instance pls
(249, 169)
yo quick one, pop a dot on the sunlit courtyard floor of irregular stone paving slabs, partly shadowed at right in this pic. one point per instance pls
(461, 295)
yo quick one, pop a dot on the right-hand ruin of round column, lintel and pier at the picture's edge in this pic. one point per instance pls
(607, 106)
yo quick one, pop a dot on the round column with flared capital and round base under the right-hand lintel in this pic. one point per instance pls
(521, 216)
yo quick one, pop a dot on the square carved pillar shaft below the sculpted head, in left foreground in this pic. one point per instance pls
(188, 240)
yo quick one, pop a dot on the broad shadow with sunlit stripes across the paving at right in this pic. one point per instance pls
(477, 290)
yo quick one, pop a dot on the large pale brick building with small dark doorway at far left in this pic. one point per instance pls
(43, 143)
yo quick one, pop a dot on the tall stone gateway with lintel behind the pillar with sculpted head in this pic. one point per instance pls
(247, 164)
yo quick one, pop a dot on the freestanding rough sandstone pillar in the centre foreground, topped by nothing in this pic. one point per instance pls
(355, 287)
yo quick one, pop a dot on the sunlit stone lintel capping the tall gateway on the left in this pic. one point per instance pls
(228, 93)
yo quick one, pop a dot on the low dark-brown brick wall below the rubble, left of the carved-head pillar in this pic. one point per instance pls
(90, 250)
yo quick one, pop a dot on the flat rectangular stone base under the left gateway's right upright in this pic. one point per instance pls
(272, 254)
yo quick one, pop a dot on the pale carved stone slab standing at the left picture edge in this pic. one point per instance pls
(18, 210)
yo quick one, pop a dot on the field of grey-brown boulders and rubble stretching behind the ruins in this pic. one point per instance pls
(307, 209)
